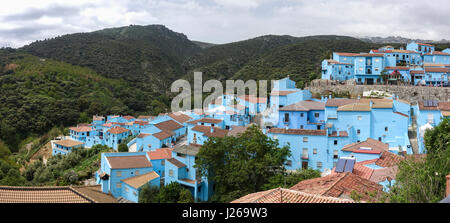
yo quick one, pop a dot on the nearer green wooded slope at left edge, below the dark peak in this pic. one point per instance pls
(37, 94)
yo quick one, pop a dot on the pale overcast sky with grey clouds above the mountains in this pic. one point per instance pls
(223, 21)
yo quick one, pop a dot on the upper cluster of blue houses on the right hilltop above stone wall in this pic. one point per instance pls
(418, 64)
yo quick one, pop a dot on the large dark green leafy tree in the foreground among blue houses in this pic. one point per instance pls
(241, 165)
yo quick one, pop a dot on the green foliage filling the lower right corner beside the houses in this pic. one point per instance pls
(423, 181)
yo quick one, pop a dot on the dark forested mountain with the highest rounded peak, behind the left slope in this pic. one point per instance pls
(148, 56)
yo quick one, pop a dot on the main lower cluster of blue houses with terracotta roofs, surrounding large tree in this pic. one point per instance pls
(354, 142)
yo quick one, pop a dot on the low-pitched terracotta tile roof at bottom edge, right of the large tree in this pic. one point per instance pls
(281, 195)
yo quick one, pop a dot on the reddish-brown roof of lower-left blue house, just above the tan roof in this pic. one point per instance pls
(128, 162)
